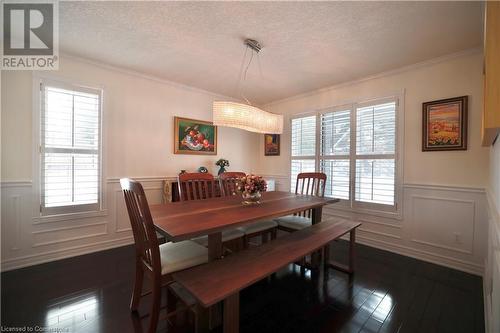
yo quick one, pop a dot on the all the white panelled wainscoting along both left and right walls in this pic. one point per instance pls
(441, 224)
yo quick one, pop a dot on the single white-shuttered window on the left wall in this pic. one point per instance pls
(70, 149)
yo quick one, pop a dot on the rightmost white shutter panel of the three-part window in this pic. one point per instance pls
(375, 153)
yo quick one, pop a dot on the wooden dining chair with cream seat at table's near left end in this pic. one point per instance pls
(155, 261)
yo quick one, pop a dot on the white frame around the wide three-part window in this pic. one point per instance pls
(393, 211)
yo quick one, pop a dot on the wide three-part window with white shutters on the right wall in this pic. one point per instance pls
(356, 147)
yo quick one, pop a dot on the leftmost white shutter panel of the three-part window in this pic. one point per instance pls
(303, 147)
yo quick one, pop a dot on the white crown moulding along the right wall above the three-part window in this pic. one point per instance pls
(379, 75)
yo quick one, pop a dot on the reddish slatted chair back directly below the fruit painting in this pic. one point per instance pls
(196, 186)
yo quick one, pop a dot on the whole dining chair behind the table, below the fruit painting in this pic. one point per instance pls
(200, 186)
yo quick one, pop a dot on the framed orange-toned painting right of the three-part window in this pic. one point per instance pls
(444, 124)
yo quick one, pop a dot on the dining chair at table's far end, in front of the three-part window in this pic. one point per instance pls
(308, 183)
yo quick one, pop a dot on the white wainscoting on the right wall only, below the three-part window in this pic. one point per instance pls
(443, 224)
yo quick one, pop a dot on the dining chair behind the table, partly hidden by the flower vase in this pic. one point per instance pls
(228, 183)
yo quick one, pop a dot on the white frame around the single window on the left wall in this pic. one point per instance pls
(49, 213)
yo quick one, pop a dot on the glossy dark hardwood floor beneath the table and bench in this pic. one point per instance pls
(390, 293)
